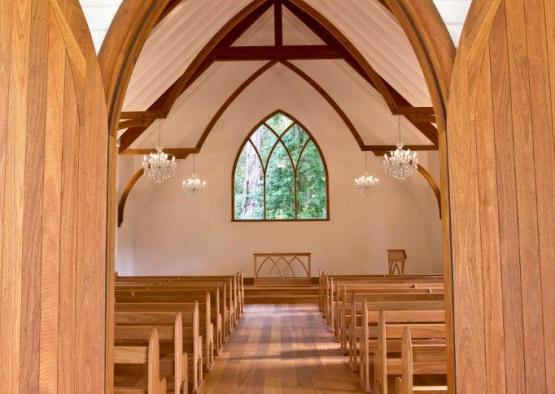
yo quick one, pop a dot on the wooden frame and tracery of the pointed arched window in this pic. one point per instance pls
(310, 139)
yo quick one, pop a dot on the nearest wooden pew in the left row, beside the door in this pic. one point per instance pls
(148, 356)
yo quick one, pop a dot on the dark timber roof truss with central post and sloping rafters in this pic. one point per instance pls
(337, 46)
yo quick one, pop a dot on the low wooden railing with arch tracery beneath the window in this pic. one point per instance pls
(282, 267)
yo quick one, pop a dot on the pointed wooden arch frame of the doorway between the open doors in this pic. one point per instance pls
(428, 36)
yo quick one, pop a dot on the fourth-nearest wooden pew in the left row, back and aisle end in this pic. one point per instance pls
(203, 299)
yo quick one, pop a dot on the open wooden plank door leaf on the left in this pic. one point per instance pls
(53, 170)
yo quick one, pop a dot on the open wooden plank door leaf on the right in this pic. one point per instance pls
(502, 190)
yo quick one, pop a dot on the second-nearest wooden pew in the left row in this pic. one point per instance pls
(169, 326)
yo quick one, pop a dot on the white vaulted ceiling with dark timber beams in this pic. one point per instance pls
(203, 54)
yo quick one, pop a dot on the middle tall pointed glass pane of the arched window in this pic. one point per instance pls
(280, 180)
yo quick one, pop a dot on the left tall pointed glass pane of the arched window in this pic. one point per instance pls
(249, 186)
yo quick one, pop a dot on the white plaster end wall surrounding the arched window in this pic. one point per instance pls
(171, 234)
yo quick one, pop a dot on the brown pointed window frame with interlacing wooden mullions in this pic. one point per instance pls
(294, 168)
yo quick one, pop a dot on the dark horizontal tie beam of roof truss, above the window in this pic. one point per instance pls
(287, 52)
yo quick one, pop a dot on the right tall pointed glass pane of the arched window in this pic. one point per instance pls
(311, 178)
